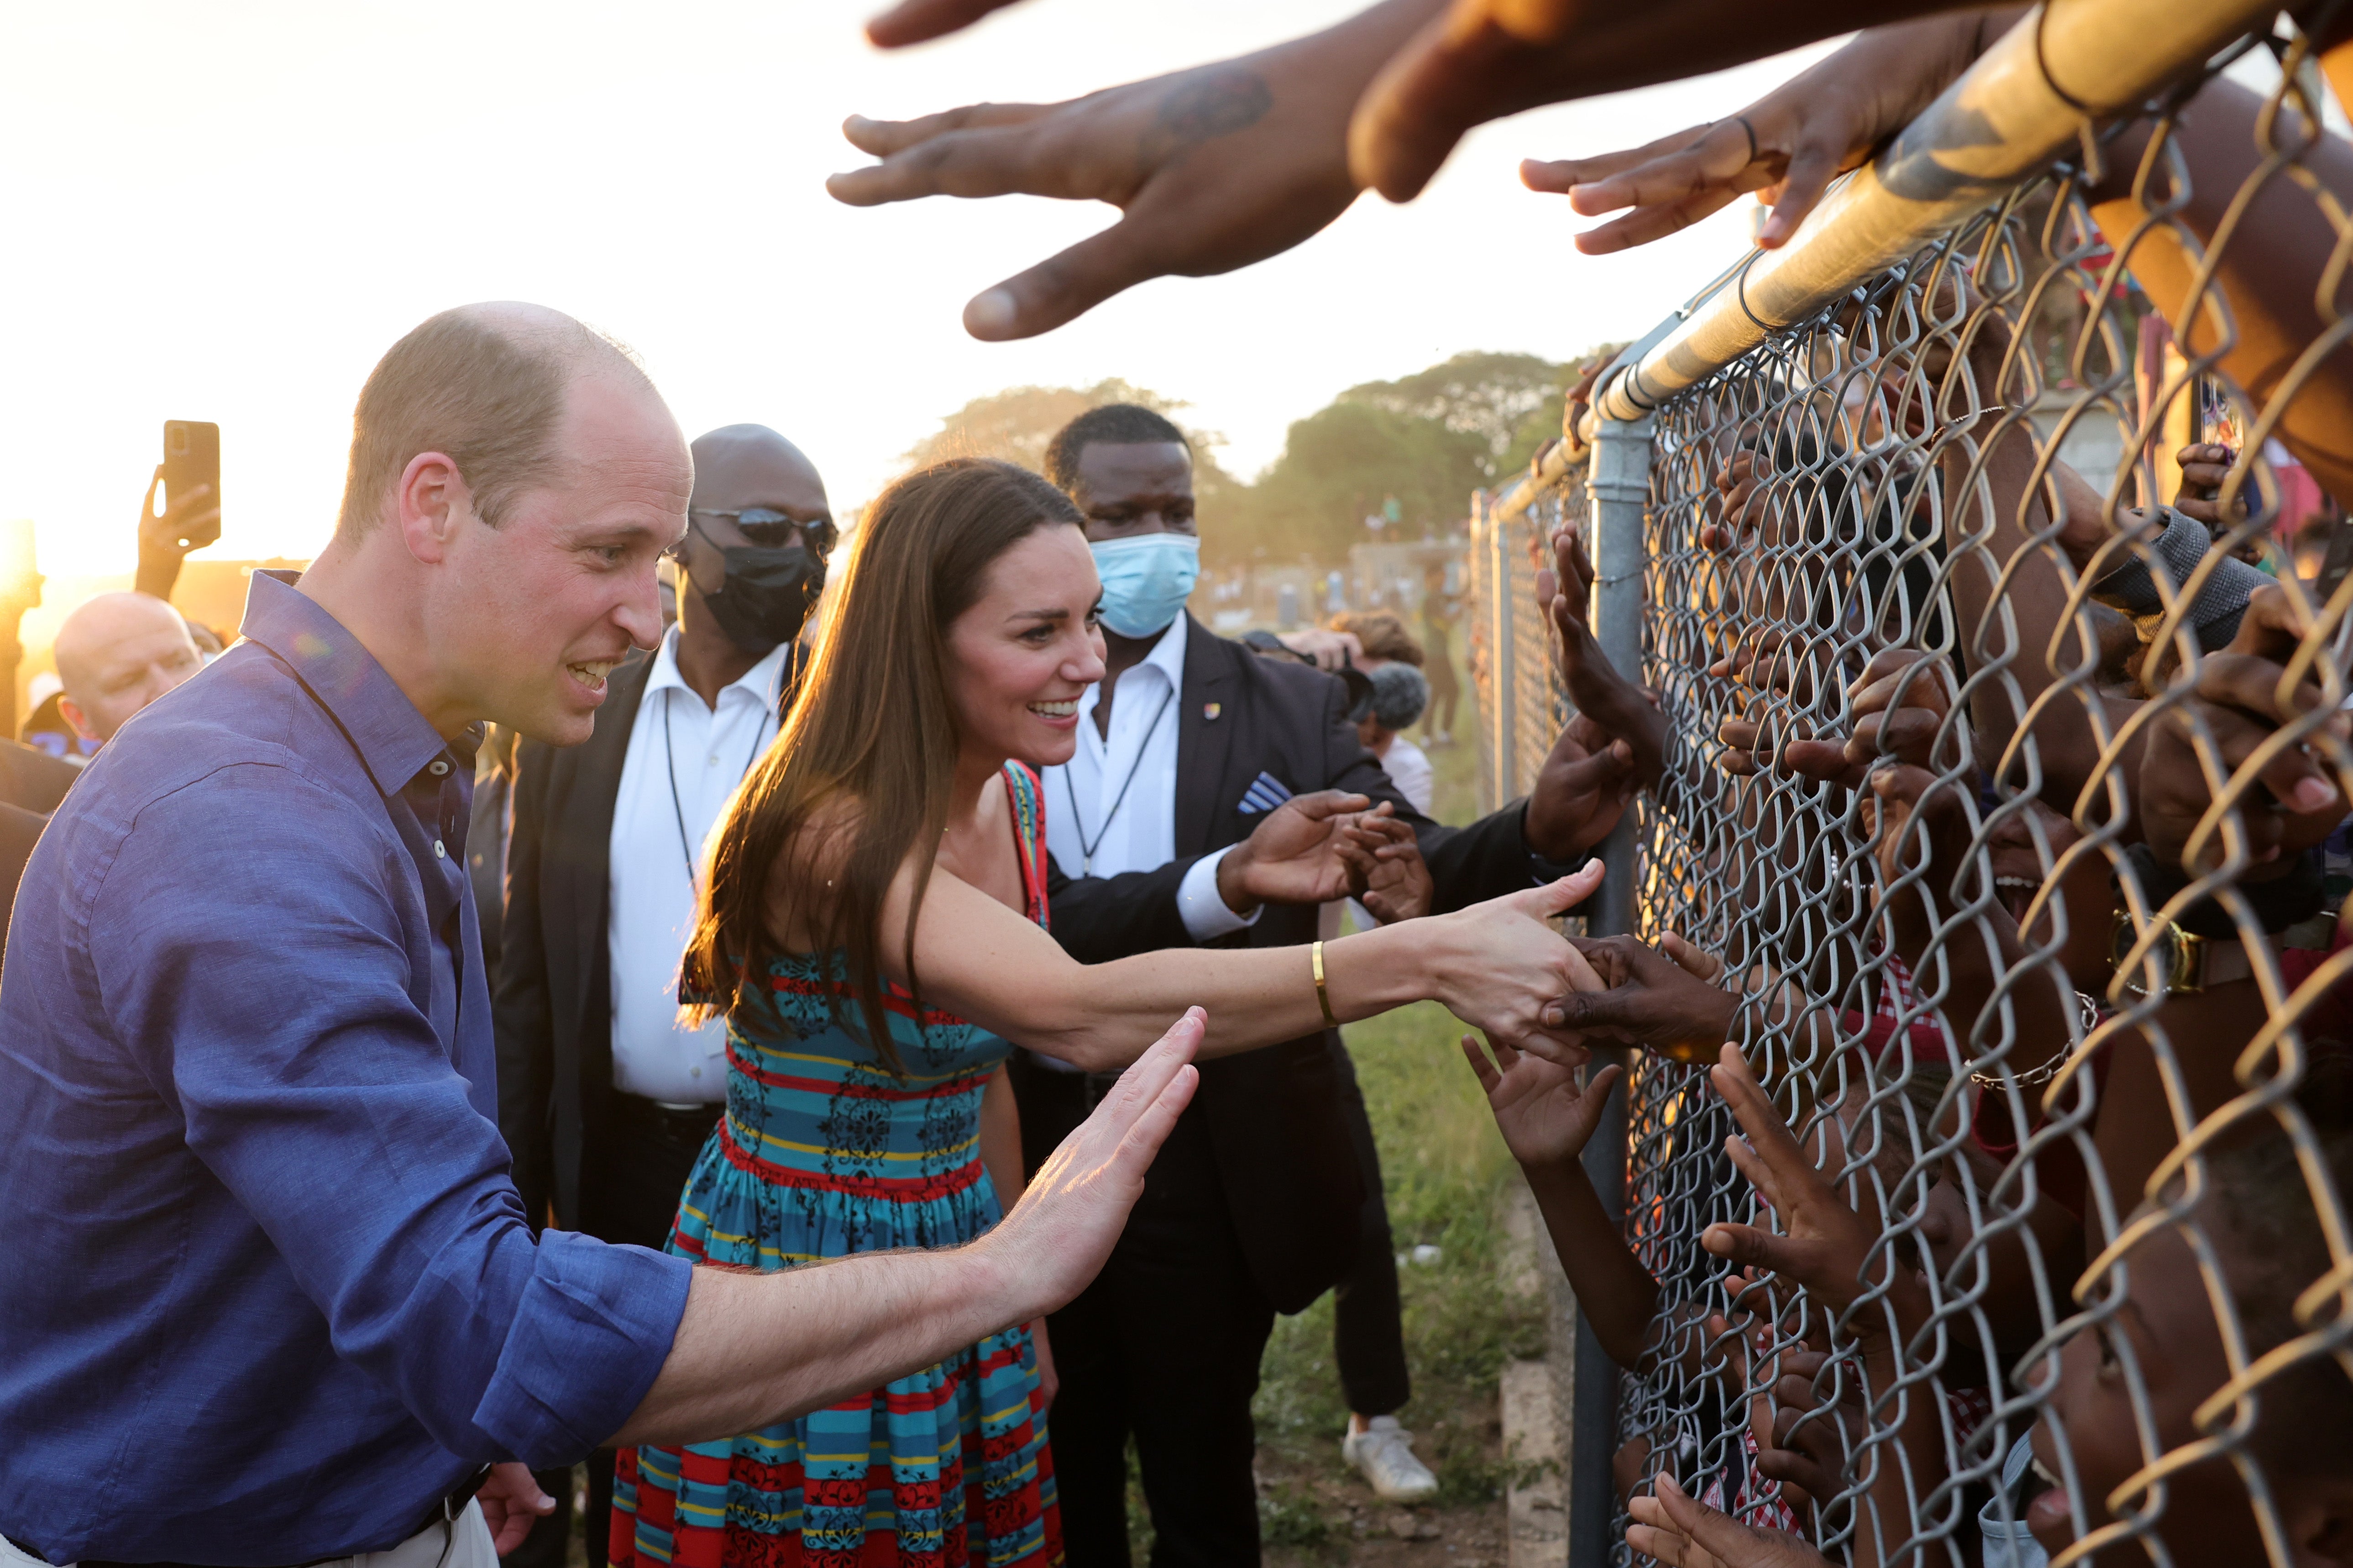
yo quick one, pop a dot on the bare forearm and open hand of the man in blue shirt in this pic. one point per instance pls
(761, 1348)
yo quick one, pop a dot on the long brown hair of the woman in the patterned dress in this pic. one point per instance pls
(874, 728)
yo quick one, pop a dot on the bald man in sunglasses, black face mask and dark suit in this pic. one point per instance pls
(604, 1097)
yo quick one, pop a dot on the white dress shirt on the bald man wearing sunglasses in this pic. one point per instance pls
(702, 756)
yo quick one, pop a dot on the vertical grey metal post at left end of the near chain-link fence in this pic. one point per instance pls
(1618, 488)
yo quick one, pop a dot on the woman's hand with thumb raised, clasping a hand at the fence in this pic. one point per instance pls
(1500, 967)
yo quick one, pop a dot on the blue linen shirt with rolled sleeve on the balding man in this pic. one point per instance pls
(269, 1285)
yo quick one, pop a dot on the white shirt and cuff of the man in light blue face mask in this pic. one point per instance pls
(1084, 798)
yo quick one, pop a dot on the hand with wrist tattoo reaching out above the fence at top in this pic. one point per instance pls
(1211, 168)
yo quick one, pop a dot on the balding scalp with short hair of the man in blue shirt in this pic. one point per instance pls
(486, 387)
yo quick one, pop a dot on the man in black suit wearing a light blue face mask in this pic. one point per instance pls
(1262, 1193)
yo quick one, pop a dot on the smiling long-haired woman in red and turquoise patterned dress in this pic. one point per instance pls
(874, 930)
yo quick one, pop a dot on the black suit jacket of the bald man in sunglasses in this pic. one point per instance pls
(552, 1005)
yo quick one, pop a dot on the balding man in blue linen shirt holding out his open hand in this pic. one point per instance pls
(272, 1292)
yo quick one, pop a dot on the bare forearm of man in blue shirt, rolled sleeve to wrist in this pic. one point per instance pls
(754, 1351)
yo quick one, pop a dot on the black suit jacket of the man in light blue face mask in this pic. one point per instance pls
(1274, 1115)
